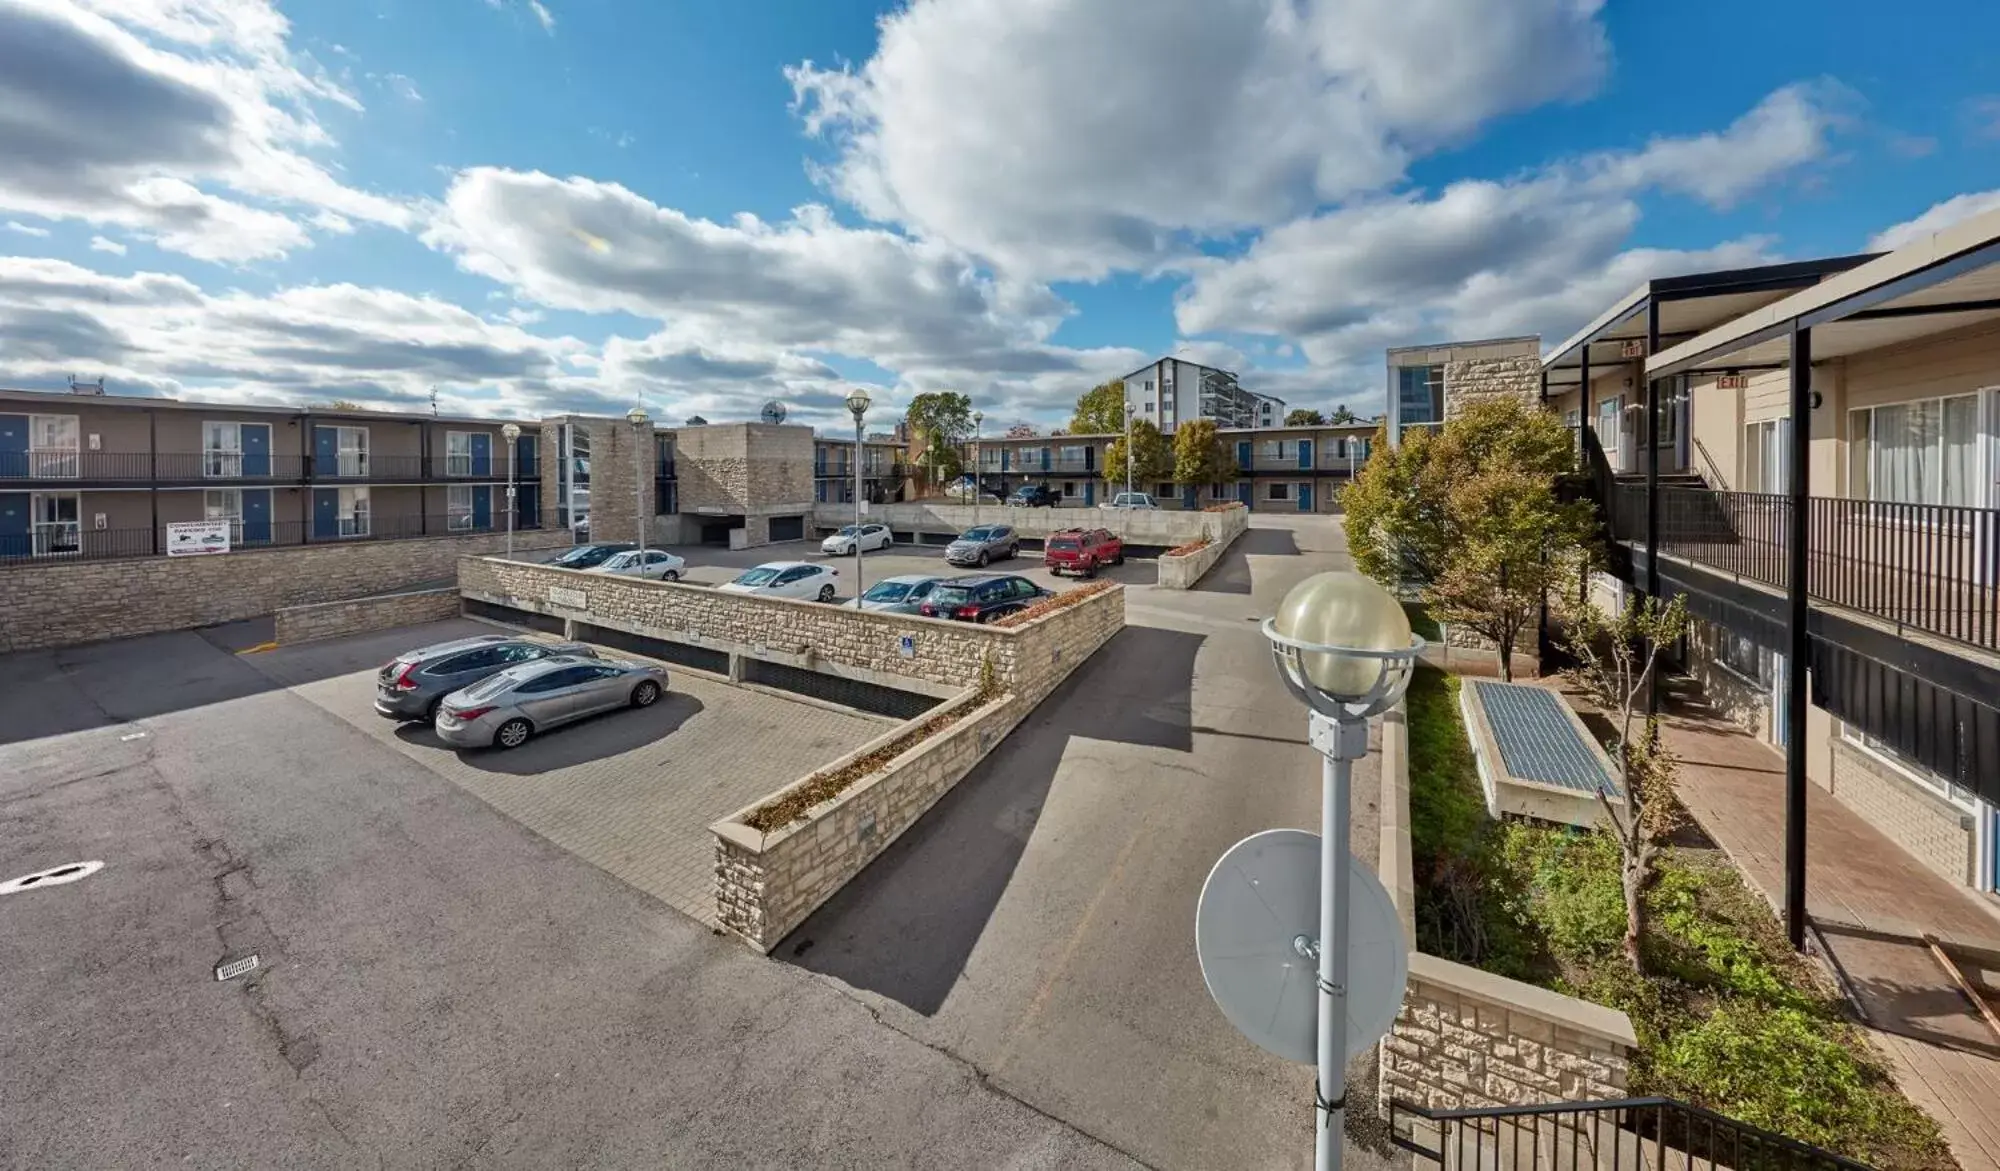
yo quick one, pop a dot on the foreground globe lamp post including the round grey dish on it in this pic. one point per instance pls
(1283, 900)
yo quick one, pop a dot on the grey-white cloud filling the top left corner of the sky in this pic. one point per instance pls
(143, 115)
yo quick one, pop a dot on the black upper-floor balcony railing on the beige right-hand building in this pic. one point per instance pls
(1923, 567)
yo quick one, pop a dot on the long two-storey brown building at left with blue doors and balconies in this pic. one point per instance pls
(93, 475)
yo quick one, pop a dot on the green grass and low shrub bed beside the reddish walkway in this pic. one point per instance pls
(1729, 1018)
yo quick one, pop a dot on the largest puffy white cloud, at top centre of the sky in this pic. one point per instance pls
(1069, 141)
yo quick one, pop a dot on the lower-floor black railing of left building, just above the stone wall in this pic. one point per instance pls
(47, 545)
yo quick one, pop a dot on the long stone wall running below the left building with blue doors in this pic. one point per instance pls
(75, 602)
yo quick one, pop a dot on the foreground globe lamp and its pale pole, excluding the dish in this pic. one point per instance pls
(1345, 648)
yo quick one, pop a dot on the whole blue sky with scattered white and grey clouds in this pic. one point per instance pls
(533, 207)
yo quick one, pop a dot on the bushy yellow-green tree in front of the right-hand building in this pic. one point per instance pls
(1469, 515)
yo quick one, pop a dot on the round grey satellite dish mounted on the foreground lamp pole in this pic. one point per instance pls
(1263, 894)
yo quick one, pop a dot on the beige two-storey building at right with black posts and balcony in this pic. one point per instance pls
(1853, 403)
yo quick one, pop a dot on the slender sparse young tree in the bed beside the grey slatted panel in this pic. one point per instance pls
(1615, 664)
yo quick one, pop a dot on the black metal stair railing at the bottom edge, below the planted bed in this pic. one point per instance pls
(1645, 1134)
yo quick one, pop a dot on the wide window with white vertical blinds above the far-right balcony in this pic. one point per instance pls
(1917, 453)
